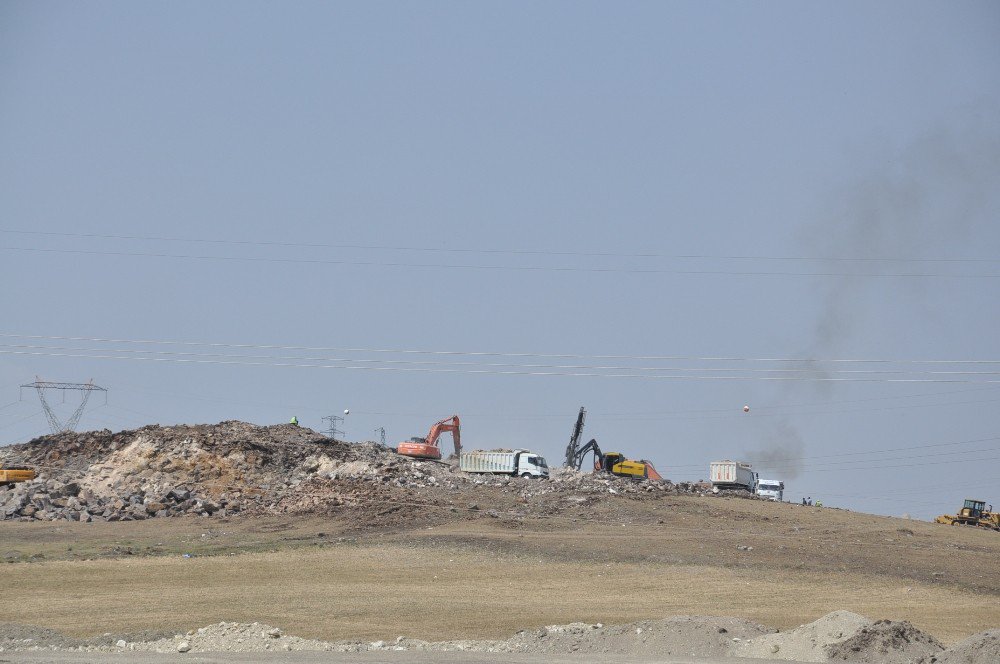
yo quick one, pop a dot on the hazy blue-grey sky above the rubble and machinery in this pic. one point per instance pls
(698, 180)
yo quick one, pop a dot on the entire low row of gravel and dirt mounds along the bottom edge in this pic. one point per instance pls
(683, 636)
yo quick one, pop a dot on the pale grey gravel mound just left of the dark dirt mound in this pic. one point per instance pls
(806, 643)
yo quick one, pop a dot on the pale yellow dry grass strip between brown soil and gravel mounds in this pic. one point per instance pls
(378, 592)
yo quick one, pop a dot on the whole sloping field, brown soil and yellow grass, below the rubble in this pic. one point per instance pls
(464, 578)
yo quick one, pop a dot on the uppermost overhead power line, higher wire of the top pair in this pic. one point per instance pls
(516, 252)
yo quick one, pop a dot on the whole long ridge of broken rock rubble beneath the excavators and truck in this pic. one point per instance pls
(234, 467)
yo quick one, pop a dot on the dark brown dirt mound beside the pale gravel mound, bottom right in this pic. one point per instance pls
(886, 641)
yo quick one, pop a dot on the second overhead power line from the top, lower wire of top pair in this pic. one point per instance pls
(513, 268)
